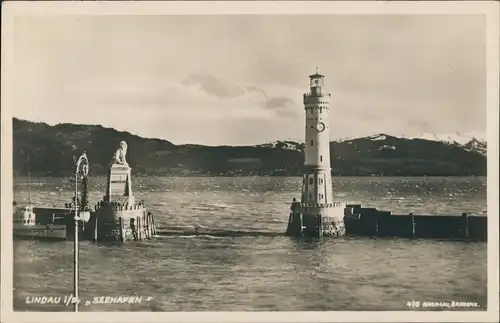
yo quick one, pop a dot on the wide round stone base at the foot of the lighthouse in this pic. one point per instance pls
(317, 220)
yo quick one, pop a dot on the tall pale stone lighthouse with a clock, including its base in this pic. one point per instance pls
(317, 214)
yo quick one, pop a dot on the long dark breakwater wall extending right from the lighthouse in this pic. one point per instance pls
(372, 222)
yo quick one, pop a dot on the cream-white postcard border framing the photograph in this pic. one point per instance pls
(13, 9)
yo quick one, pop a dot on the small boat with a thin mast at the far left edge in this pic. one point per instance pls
(26, 227)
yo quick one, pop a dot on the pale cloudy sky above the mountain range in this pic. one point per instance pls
(238, 80)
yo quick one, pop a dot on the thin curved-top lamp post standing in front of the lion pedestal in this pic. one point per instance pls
(82, 170)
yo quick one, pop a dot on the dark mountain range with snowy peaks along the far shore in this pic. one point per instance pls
(51, 150)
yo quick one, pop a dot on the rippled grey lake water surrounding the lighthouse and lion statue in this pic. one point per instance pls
(265, 271)
